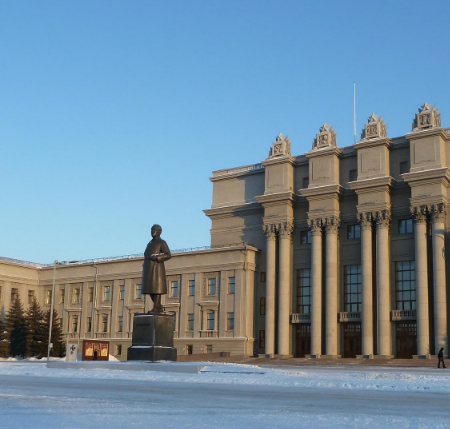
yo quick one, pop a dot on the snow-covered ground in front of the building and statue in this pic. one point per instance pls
(222, 396)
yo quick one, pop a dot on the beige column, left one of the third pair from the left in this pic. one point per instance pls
(367, 281)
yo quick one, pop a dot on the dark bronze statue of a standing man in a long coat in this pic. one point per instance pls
(154, 272)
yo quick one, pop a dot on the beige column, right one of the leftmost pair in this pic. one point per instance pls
(284, 289)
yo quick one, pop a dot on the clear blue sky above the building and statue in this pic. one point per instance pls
(113, 114)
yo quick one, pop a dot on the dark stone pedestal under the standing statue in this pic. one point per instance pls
(152, 338)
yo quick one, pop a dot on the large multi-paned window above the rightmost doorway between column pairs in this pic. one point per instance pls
(405, 285)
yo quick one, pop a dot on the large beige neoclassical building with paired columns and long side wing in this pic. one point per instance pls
(339, 252)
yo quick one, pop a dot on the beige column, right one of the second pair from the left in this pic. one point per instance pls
(332, 227)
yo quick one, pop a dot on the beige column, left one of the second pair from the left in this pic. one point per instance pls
(316, 289)
